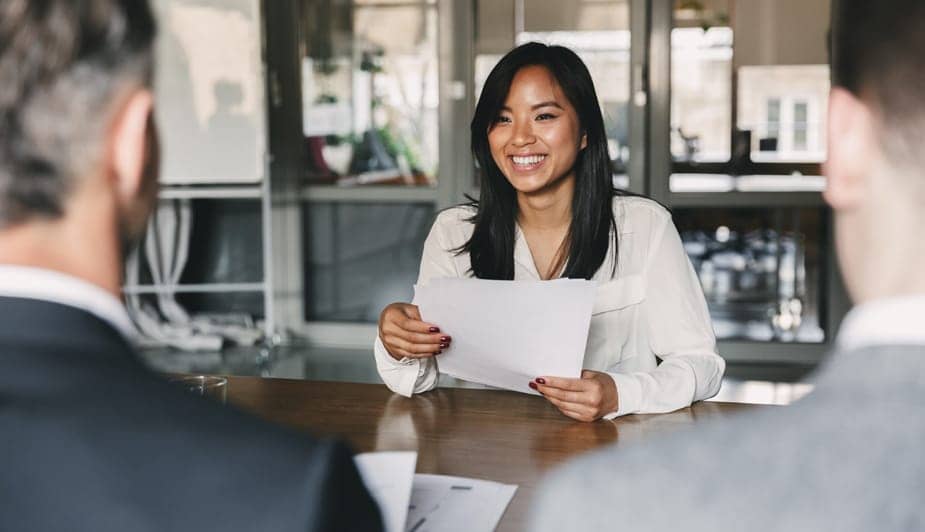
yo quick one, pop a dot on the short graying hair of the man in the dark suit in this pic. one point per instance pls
(61, 64)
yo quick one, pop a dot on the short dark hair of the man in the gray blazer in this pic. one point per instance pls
(878, 54)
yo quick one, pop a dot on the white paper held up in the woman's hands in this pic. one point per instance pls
(507, 333)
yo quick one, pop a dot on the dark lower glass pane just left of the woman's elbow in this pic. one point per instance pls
(361, 257)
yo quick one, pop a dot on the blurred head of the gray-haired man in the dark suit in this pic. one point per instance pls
(76, 128)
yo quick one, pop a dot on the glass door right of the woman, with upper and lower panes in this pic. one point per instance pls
(737, 151)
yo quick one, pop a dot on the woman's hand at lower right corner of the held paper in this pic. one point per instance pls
(592, 396)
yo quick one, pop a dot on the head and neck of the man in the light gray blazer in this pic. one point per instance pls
(876, 143)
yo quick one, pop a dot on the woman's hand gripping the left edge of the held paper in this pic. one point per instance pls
(405, 335)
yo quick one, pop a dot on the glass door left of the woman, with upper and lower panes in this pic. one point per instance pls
(370, 89)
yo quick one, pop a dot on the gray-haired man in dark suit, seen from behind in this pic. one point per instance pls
(89, 439)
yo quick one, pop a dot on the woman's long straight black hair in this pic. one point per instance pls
(491, 248)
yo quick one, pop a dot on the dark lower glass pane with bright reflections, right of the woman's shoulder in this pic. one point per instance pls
(760, 270)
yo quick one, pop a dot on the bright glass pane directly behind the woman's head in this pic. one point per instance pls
(597, 31)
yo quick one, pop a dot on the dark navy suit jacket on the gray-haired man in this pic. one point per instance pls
(92, 441)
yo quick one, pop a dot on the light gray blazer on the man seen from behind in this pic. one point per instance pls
(849, 456)
